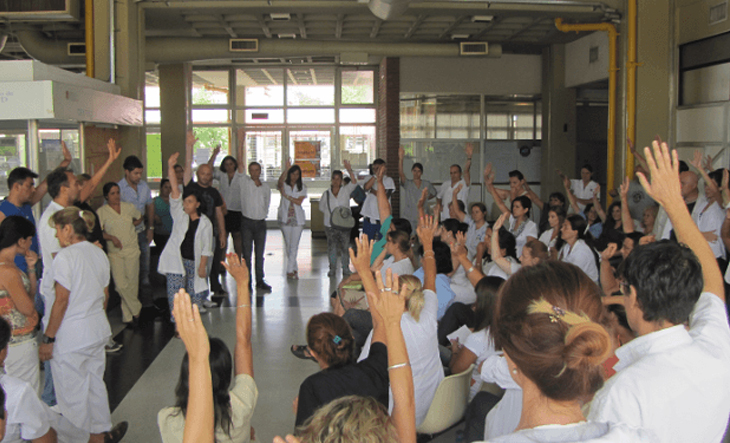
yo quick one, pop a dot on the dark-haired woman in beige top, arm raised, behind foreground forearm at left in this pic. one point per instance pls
(234, 407)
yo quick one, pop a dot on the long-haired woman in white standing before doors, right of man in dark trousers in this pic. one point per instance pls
(291, 214)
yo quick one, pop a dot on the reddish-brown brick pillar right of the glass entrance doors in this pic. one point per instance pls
(388, 128)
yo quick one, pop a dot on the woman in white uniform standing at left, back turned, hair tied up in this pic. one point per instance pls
(77, 328)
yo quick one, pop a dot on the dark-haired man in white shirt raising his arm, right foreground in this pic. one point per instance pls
(672, 380)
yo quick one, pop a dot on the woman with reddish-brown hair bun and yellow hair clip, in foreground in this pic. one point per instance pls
(548, 321)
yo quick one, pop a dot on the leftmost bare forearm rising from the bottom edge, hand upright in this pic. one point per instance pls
(199, 420)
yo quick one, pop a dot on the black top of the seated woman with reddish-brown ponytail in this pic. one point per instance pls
(368, 378)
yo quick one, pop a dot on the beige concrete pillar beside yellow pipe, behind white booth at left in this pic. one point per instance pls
(130, 56)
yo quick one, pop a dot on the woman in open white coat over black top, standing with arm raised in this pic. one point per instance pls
(186, 259)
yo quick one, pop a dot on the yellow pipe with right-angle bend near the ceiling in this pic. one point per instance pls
(612, 69)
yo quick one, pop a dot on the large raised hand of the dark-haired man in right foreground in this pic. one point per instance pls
(664, 172)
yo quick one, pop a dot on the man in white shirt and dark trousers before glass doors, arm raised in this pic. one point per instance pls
(255, 200)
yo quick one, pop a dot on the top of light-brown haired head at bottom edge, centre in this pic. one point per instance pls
(350, 419)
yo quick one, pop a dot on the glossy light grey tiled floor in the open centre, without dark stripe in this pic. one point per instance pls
(277, 324)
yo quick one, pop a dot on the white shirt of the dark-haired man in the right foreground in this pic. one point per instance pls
(674, 382)
